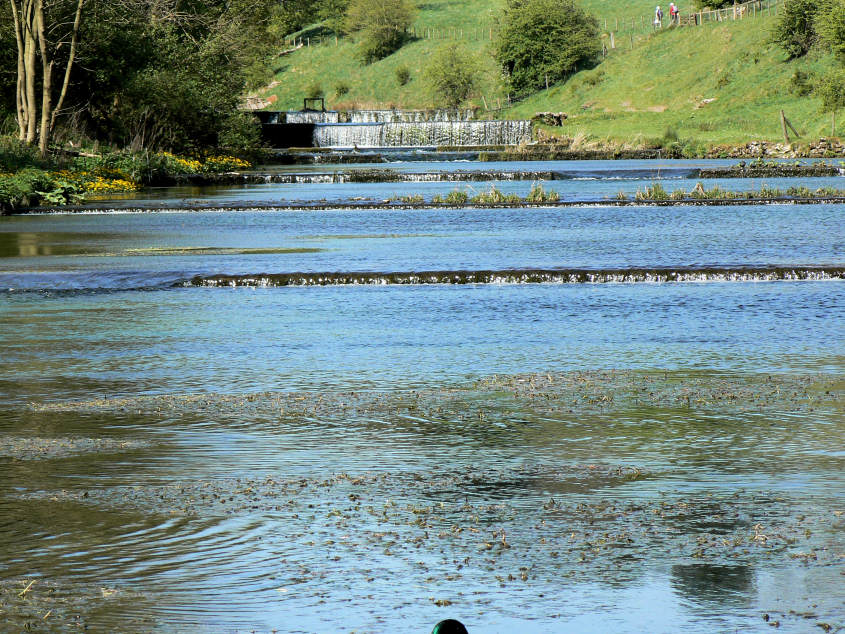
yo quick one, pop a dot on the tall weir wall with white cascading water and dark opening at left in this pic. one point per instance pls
(389, 128)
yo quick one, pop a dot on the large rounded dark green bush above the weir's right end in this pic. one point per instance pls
(542, 39)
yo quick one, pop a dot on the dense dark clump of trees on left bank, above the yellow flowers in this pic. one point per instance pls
(157, 74)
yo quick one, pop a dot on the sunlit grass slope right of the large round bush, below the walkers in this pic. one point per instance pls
(720, 83)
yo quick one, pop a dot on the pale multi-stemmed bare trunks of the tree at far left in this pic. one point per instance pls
(41, 31)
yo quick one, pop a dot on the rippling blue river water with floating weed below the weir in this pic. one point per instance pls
(188, 443)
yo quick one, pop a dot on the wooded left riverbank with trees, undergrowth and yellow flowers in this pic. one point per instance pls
(102, 97)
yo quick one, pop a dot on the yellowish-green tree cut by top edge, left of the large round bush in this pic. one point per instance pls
(379, 26)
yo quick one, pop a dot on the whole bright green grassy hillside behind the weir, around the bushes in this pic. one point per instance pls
(719, 83)
